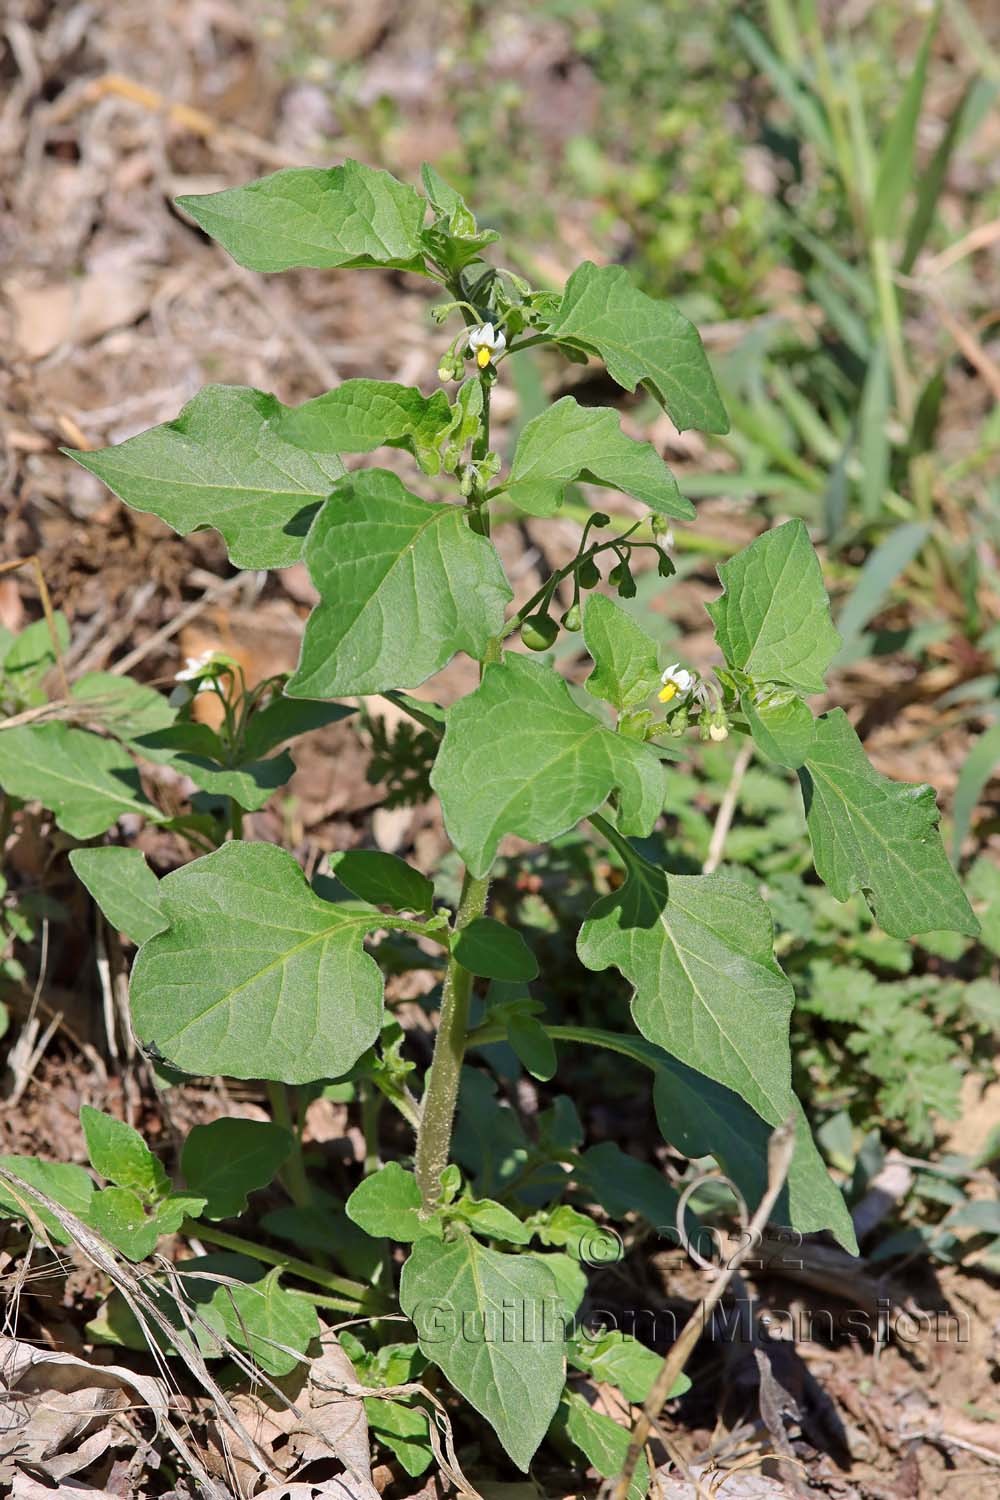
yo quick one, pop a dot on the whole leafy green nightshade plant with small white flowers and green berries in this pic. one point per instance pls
(248, 971)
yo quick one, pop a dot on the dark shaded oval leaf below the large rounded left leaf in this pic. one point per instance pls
(230, 1159)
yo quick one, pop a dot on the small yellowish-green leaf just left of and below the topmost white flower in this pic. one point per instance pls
(365, 415)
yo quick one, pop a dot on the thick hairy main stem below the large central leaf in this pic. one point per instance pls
(434, 1139)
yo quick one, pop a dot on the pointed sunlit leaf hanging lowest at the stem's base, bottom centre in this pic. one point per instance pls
(488, 1322)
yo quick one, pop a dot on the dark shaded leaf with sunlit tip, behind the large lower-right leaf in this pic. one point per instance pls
(701, 1118)
